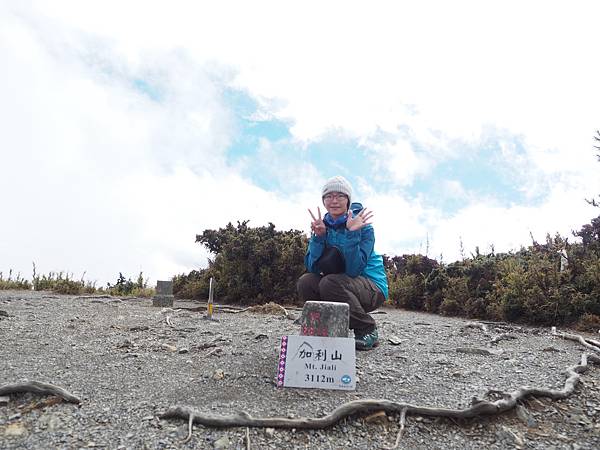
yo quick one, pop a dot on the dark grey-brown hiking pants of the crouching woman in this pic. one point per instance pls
(361, 294)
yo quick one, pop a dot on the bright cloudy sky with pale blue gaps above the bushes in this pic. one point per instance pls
(126, 128)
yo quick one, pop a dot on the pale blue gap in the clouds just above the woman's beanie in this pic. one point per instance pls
(476, 170)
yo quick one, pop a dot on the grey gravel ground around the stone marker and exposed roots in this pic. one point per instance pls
(127, 364)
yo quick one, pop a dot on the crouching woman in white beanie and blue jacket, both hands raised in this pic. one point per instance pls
(342, 265)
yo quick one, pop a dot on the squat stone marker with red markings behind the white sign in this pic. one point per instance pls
(325, 319)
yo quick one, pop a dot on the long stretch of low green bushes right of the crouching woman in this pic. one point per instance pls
(530, 286)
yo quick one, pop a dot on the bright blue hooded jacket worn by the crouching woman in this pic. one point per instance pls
(357, 248)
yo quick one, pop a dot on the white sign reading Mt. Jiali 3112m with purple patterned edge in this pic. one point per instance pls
(317, 362)
